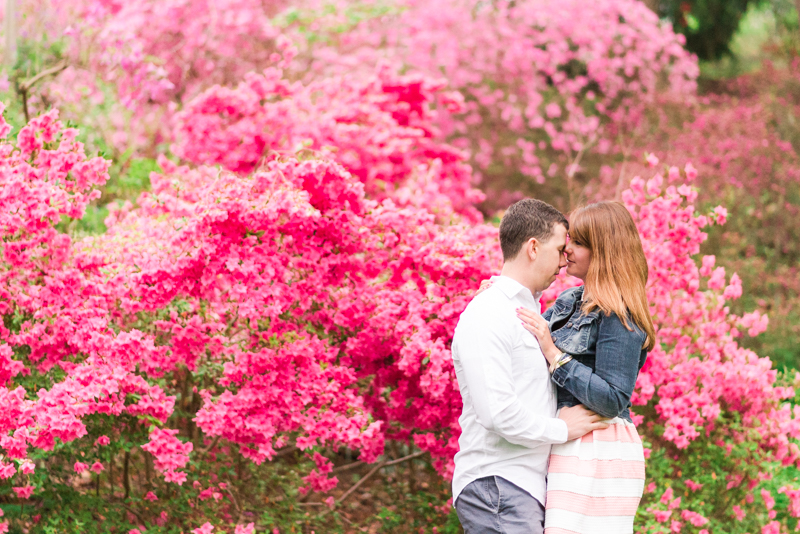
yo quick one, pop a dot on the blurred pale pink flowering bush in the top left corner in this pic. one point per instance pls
(135, 61)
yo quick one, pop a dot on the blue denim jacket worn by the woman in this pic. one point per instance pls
(606, 356)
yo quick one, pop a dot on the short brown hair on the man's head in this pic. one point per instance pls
(526, 219)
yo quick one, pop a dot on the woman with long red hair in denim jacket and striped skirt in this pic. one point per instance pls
(596, 338)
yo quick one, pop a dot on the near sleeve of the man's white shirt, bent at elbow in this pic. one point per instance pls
(485, 351)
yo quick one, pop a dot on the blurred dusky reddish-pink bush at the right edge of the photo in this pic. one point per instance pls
(743, 146)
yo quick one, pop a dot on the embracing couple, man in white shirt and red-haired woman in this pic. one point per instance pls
(547, 441)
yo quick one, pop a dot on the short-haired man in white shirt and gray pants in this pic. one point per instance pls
(509, 416)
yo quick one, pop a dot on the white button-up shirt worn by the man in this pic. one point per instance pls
(509, 419)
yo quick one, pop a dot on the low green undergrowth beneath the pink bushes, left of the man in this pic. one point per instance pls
(266, 495)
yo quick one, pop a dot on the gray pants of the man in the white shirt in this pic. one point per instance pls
(495, 505)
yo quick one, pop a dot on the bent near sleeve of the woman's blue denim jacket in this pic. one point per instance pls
(607, 390)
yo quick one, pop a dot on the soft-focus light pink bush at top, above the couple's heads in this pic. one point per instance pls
(541, 80)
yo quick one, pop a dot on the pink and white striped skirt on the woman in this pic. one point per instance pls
(595, 483)
